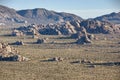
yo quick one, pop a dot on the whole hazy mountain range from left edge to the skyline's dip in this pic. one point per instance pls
(38, 15)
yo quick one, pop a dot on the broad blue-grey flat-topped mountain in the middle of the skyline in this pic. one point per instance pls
(40, 15)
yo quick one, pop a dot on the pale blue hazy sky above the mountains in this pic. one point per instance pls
(83, 8)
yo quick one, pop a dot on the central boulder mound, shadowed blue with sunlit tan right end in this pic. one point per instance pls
(64, 28)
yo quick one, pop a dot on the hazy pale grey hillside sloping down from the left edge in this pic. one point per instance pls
(9, 15)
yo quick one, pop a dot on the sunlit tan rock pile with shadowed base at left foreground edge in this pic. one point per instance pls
(8, 53)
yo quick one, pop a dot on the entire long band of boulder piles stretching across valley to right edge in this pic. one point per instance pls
(68, 28)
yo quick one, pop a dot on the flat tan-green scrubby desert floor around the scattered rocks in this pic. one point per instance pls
(103, 53)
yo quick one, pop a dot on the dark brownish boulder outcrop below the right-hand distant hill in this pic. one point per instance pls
(95, 26)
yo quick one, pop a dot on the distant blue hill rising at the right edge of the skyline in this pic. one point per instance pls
(113, 17)
